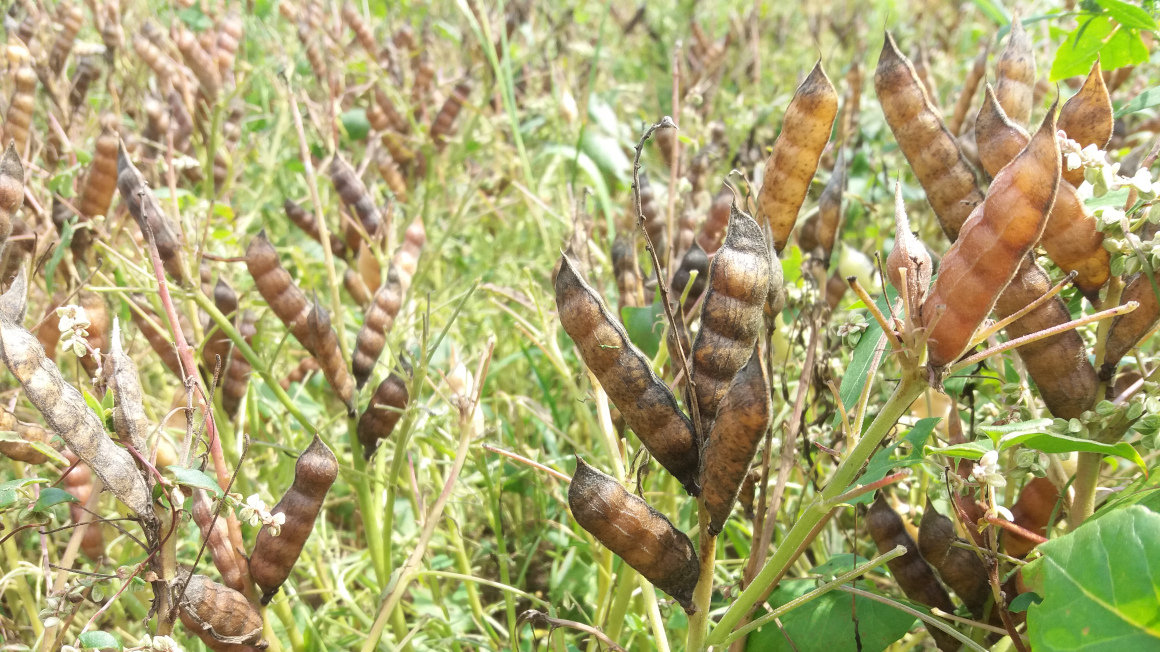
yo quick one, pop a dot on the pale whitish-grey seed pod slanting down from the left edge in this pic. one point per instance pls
(64, 408)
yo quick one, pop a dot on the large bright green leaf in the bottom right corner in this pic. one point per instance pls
(1099, 586)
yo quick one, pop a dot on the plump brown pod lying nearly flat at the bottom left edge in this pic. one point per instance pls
(221, 617)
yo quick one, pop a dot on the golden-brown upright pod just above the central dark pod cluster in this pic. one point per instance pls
(806, 132)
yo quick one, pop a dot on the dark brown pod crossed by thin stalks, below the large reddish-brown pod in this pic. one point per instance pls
(1058, 365)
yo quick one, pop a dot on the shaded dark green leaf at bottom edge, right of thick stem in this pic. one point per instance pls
(826, 625)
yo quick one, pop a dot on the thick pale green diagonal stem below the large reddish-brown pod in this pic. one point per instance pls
(913, 386)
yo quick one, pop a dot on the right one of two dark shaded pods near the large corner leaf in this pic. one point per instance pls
(960, 569)
